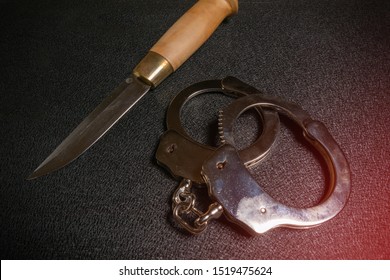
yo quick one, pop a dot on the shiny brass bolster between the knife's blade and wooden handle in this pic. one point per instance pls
(153, 69)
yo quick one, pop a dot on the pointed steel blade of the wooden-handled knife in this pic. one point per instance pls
(92, 128)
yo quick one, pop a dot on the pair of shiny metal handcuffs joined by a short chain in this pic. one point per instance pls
(231, 187)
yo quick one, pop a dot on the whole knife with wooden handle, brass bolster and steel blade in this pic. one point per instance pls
(180, 41)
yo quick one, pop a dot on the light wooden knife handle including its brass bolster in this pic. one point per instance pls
(186, 35)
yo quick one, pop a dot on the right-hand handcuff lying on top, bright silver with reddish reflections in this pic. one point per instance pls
(245, 202)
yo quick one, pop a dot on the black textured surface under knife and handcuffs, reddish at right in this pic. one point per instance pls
(59, 59)
